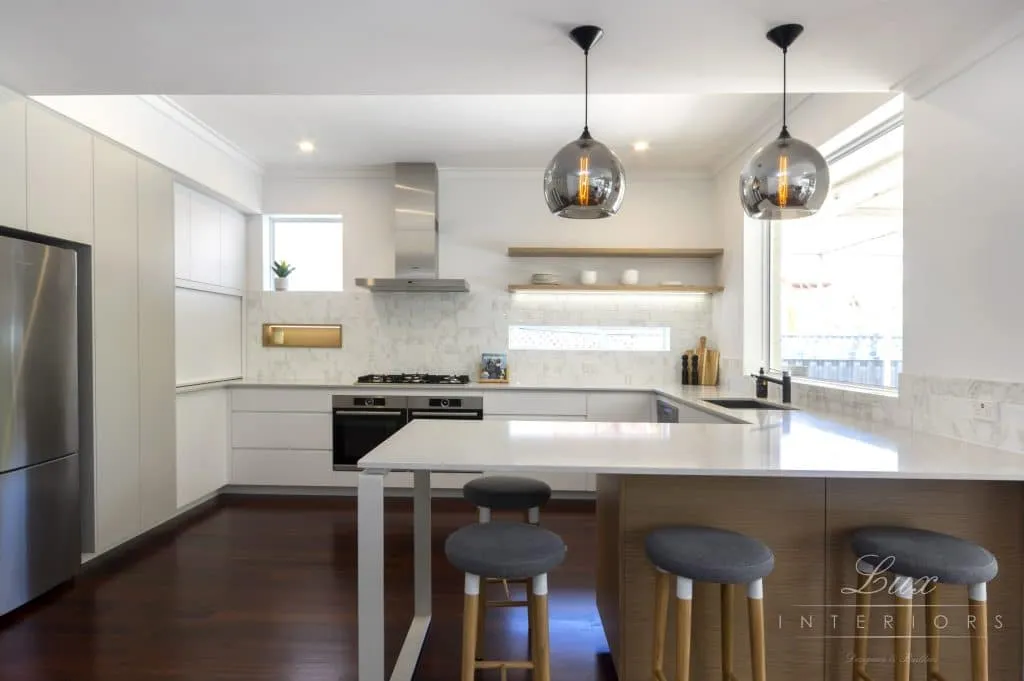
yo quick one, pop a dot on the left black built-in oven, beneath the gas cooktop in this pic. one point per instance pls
(363, 422)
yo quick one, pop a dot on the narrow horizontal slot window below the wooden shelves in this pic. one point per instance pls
(615, 339)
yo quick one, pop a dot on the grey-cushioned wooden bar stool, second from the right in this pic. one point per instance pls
(706, 555)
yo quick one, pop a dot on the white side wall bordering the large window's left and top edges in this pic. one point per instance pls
(818, 119)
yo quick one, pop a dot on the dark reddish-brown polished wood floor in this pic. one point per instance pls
(266, 590)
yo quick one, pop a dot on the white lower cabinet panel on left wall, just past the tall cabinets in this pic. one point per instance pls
(202, 444)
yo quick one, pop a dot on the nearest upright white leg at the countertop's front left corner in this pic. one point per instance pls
(370, 513)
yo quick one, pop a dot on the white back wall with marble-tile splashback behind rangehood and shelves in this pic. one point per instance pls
(482, 214)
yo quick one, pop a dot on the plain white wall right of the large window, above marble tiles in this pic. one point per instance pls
(964, 160)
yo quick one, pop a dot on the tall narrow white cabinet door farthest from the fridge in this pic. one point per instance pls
(156, 329)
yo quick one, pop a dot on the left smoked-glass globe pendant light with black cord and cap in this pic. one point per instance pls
(586, 180)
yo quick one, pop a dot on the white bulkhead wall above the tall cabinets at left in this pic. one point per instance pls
(157, 130)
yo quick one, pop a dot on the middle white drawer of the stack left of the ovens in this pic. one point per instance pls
(270, 431)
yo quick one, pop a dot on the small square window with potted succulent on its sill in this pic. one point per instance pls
(313, 245)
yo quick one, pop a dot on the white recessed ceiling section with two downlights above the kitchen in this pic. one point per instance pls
(687, 133)
